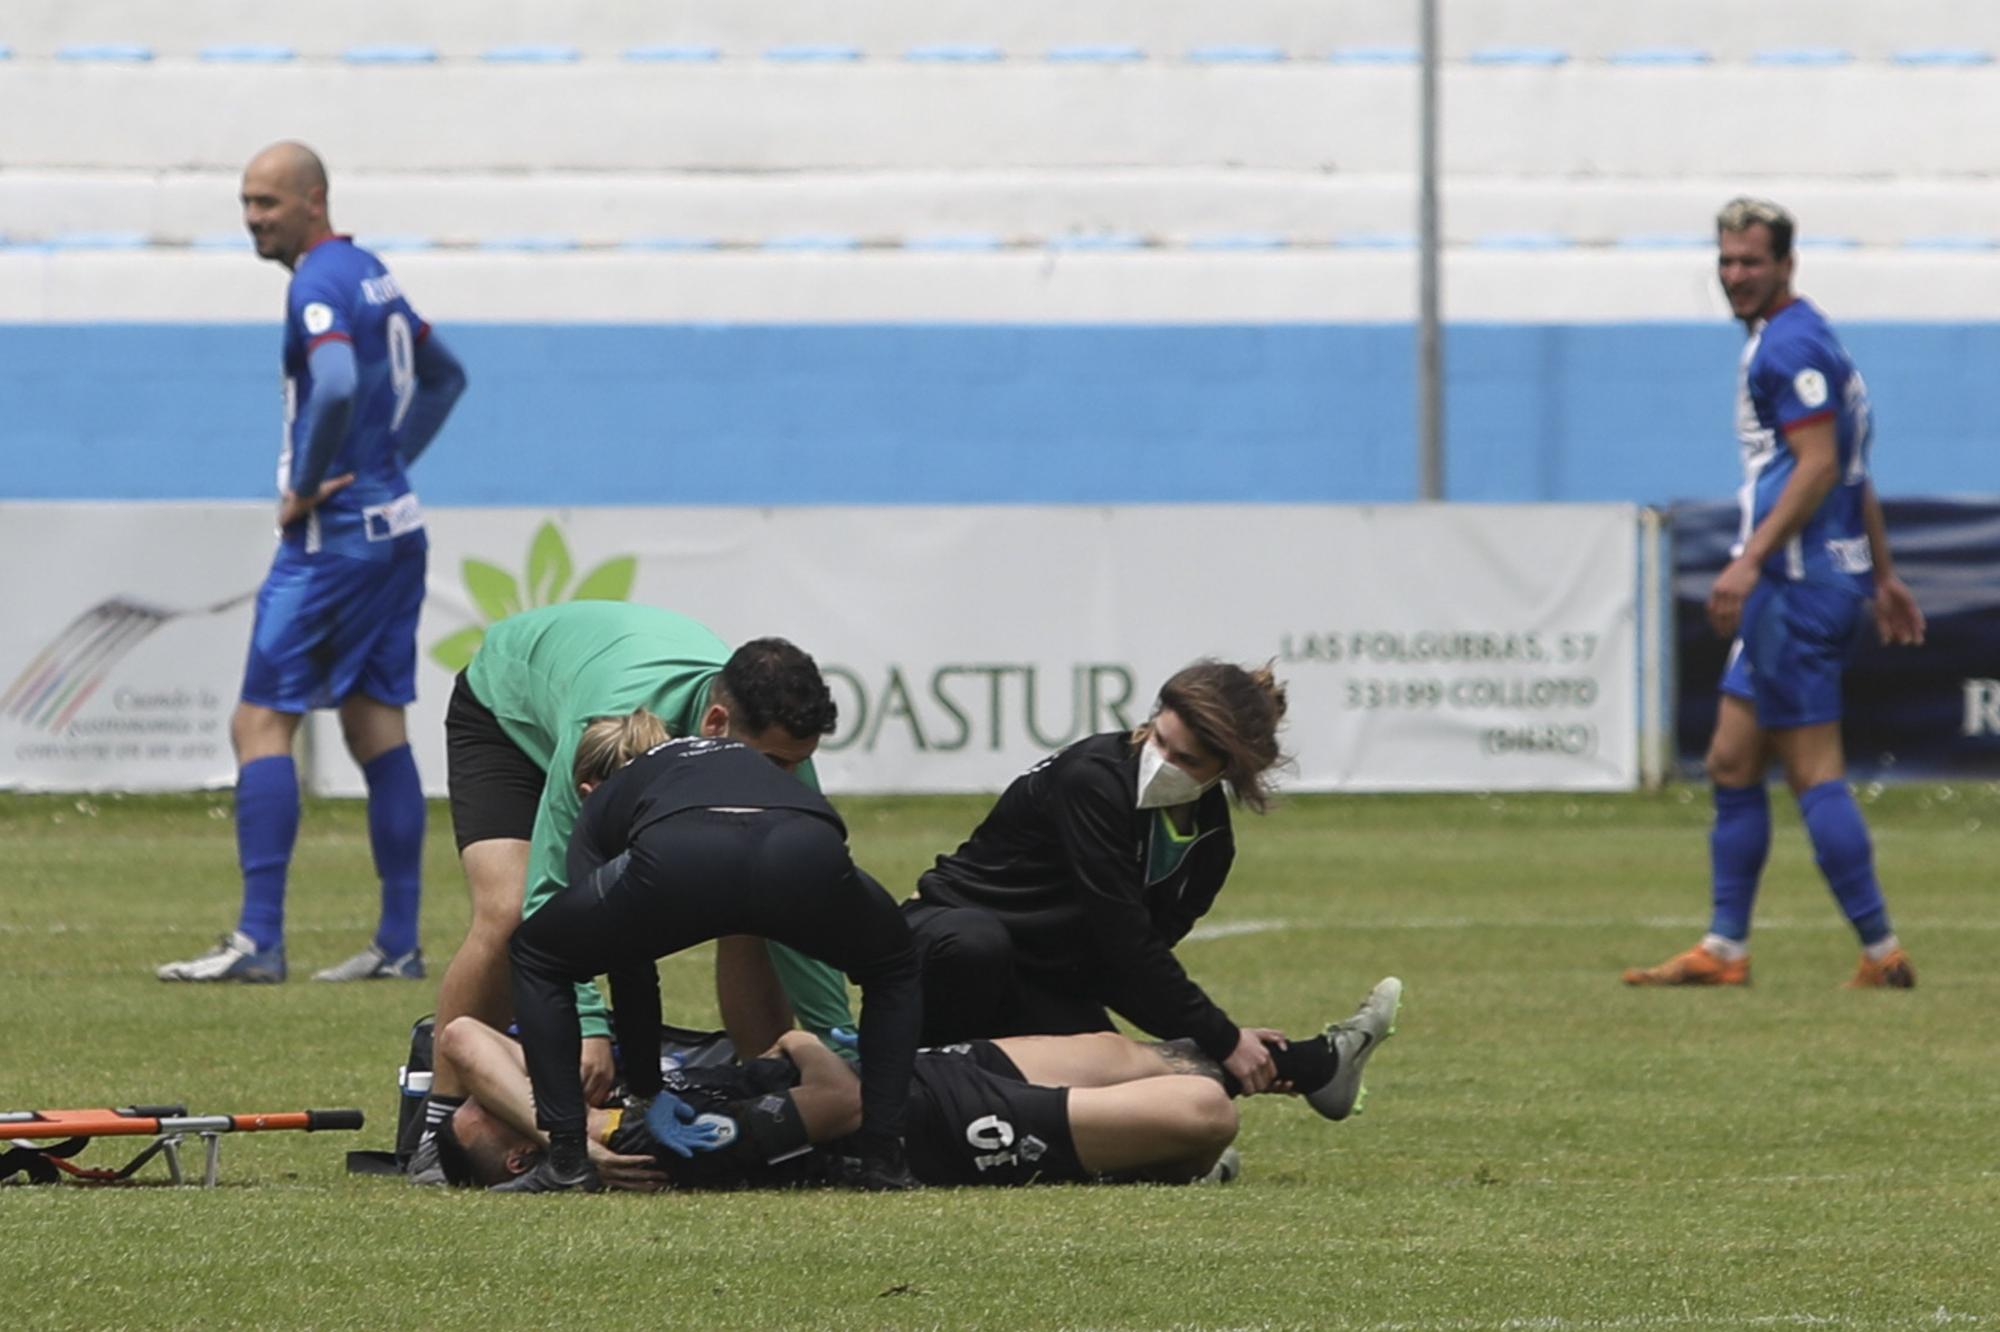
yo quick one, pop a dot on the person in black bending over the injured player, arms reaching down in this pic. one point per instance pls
(695, 841)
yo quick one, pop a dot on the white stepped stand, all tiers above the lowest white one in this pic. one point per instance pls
(907, 129)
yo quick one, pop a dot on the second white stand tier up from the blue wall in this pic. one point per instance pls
(1021, 207)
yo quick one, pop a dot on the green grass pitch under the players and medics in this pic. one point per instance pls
(1543, 1149)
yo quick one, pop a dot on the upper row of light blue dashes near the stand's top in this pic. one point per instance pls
(981, 53)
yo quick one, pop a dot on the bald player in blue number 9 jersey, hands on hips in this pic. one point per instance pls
(367, 387)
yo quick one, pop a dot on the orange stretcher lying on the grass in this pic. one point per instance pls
(169, 1127)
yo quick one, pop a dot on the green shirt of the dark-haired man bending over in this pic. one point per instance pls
(549, 673)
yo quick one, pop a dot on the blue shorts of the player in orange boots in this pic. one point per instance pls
(1793, 649)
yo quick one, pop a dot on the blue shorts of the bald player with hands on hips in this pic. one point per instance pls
(331, 627)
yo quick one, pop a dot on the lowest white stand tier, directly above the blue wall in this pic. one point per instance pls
(1013, 287)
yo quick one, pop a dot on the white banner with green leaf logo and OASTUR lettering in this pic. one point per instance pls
(1425, 649)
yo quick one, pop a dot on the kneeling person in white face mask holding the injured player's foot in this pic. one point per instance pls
(1065, 905)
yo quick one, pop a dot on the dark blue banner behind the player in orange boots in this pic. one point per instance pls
(1911, 713)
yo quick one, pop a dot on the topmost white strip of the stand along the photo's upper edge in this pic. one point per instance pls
(1729, 29)
